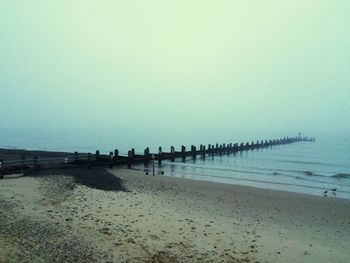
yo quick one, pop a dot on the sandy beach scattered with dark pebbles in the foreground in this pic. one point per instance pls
(53, 217)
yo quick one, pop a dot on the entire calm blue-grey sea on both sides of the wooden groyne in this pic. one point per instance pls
(320, 168)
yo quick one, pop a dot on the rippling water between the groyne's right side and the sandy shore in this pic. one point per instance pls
(303, 167)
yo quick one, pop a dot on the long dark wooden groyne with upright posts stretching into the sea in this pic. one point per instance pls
(20, 160)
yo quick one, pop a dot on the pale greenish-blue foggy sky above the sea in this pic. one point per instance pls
(158, 67)
